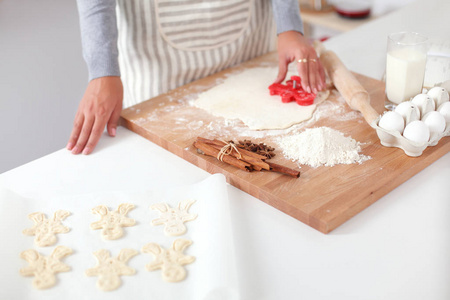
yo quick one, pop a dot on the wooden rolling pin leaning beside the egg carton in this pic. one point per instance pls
(346, 83)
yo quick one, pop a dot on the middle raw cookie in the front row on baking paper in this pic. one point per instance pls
(109, 269)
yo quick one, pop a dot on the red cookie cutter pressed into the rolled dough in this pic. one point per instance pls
(292, 91)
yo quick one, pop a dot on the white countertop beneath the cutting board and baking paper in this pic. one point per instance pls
(398, 248)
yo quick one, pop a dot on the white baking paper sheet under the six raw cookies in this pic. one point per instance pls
(211, 276)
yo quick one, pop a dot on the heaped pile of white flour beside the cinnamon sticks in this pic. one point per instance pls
(321, 146)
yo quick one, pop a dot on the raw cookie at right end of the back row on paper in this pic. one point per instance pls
(173, 218)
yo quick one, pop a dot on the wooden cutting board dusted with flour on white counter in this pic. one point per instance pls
(323, 197)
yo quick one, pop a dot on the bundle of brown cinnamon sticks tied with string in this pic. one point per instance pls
(234, 155)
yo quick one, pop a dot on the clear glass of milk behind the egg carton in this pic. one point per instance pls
(405, 65)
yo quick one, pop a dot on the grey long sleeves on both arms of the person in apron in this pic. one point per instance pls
(99, 34)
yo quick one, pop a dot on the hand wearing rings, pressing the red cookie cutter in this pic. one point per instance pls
(294, 47)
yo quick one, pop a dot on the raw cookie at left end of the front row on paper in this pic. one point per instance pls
(44, 268)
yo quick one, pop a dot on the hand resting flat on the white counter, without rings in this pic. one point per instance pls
(100, 106)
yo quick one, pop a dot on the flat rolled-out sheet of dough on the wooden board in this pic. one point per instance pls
(246, 96)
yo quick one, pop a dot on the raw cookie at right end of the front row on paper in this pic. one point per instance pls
(170, 261)
